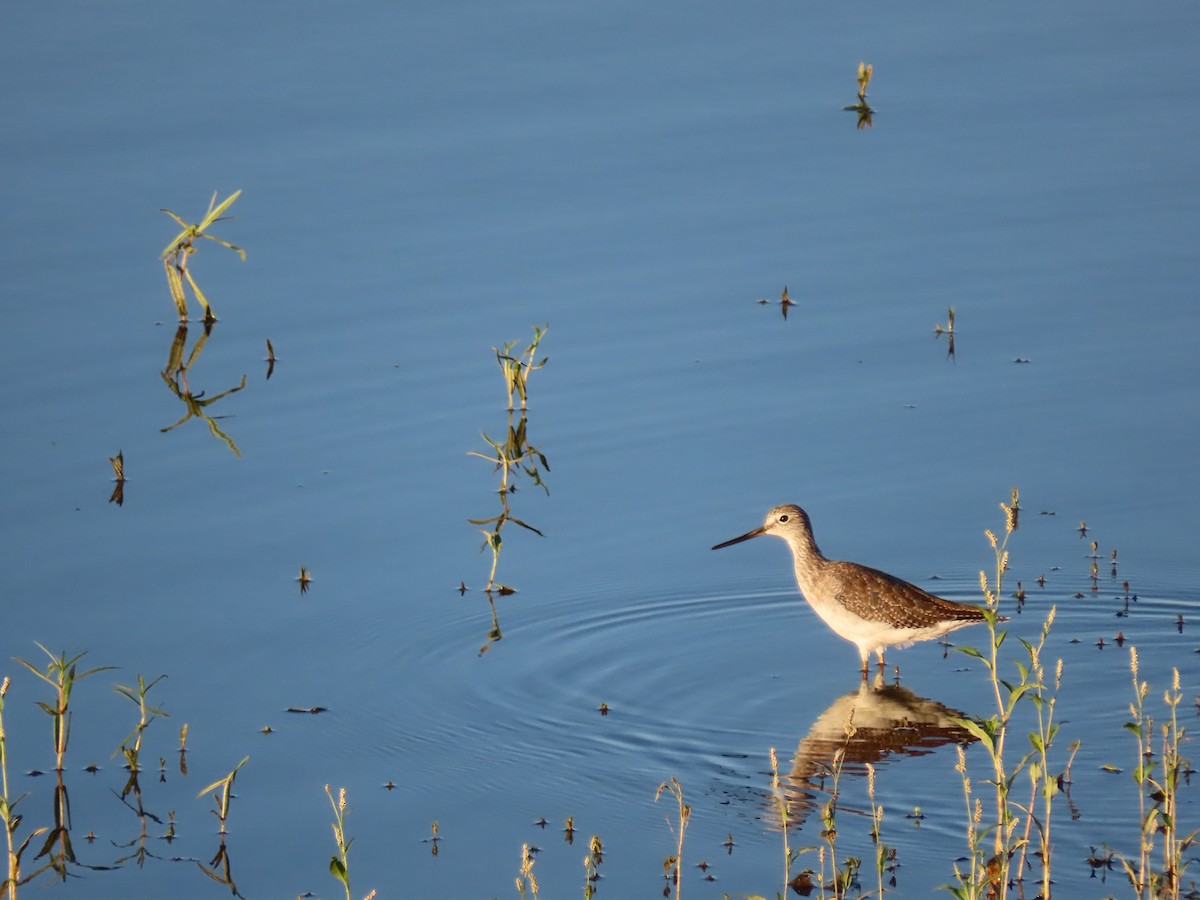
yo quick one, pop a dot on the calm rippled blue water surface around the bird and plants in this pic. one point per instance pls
(427, 183)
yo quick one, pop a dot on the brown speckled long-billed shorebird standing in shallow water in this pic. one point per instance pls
(871, 609)
